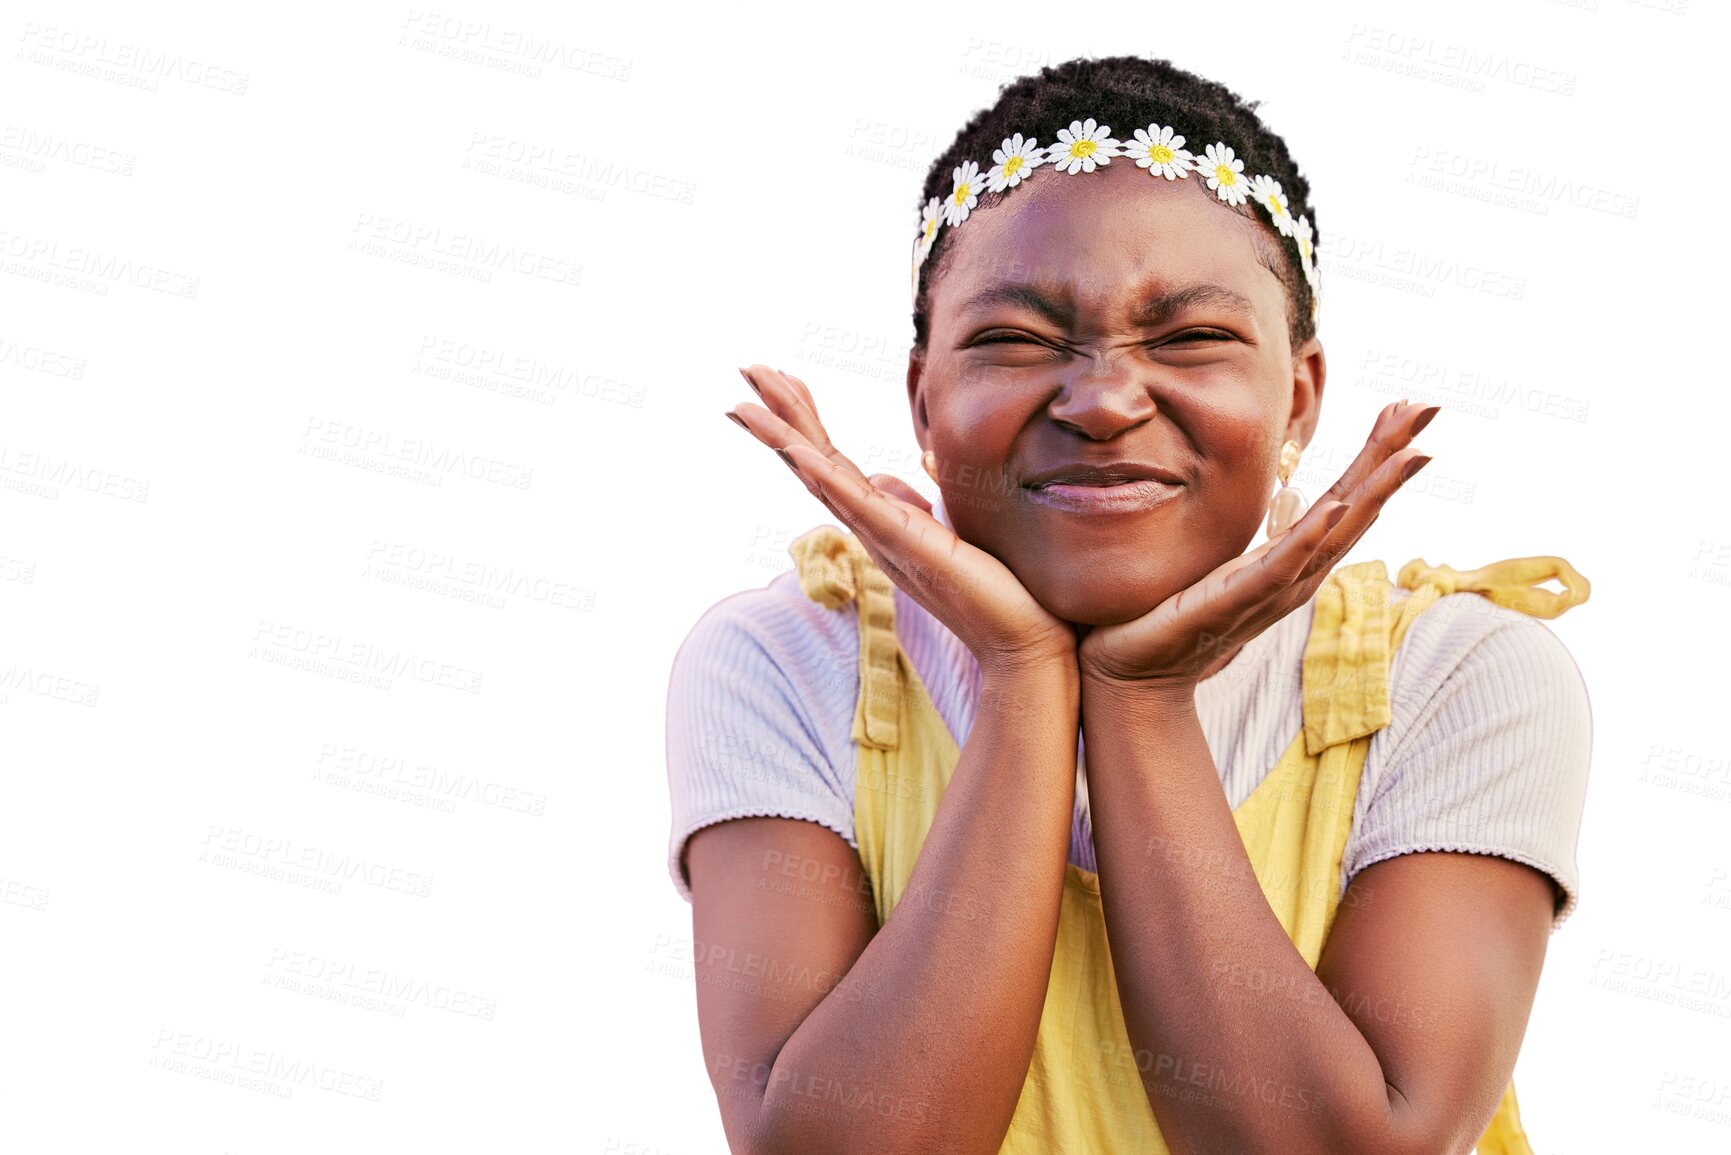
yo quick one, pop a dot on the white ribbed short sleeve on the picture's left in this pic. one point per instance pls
(759, 716)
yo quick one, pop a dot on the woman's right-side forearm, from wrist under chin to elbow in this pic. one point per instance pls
(1240, 1045)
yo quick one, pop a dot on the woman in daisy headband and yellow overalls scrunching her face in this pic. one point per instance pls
(1329, 822)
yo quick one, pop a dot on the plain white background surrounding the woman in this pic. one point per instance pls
(228, 323)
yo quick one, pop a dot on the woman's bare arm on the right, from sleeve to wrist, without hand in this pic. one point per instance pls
(1405, 1036)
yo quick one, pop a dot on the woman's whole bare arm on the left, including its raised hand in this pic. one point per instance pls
(960, 969)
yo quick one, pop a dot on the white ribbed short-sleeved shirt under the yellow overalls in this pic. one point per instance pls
(1486, 752)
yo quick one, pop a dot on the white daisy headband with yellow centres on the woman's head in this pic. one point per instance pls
(1086, 146)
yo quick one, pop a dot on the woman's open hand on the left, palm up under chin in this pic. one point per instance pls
(965, 588)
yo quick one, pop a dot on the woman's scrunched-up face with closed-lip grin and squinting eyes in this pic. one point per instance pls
(1110, 319)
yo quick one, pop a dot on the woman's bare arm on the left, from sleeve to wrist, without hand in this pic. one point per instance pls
(859, 1042)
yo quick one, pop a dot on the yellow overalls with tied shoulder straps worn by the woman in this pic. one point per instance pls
(1084, 1094)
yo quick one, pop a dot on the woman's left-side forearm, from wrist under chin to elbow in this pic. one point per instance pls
(965, 957)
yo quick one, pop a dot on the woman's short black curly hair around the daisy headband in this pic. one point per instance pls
(1128, 93)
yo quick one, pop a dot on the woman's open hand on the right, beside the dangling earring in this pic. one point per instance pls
(1176, 642)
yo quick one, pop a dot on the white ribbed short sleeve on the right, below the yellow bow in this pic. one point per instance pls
(1491, 747)
